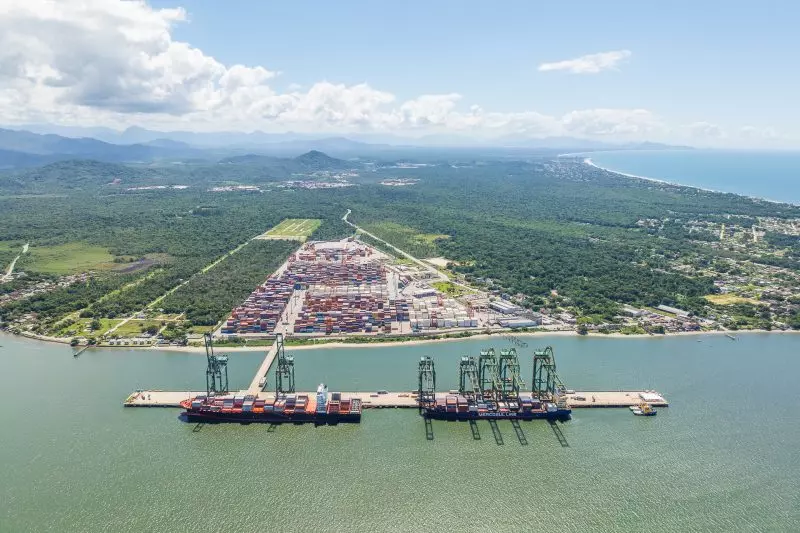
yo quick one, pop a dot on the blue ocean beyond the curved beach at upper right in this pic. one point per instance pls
(771, 176)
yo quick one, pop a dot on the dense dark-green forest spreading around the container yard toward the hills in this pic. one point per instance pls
(529, 227)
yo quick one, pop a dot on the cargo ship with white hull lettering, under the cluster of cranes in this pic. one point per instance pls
(460, 407)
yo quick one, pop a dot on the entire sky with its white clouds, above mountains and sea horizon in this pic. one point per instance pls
(710, 73)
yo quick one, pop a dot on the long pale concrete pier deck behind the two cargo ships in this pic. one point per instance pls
(404, 400)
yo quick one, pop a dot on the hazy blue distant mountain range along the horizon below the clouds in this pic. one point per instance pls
(20, 148)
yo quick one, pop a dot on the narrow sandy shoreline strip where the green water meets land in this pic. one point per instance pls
(503, 335)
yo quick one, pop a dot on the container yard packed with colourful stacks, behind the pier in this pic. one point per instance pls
(346, 287)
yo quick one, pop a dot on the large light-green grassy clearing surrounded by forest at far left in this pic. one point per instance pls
(65, 259)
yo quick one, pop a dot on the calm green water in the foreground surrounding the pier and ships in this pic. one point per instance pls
(724, 457)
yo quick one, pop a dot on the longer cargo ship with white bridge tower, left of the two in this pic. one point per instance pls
(286, 408)
